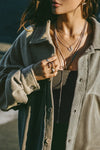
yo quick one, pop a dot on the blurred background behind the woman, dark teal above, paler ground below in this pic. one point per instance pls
(10, 14)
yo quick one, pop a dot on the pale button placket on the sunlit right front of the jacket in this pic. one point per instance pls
(77, 102)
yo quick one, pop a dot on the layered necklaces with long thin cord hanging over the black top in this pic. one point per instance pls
(73, 49)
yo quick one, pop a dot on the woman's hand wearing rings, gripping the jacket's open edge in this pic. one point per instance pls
(47, 68)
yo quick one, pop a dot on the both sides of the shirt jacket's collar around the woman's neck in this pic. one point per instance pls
(42, 33)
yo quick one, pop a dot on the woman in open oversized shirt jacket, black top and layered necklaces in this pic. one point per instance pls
(52, 75)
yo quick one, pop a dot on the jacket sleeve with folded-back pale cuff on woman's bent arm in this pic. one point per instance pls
(16, 80)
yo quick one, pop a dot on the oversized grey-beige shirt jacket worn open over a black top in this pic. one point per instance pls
(19, 89)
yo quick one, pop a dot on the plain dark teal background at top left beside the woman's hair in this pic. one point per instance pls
(10, 14)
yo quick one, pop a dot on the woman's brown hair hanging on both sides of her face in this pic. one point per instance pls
(39, 11)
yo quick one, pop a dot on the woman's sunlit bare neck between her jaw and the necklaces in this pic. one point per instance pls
(71, 24)
